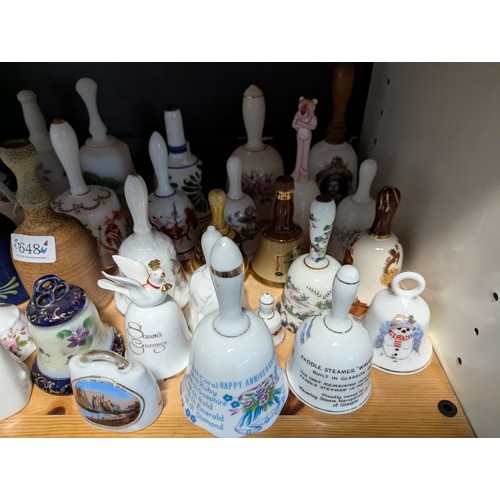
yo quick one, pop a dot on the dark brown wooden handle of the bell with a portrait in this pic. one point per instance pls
(343, 77)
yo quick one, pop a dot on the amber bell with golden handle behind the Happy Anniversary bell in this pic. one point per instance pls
(217, 201)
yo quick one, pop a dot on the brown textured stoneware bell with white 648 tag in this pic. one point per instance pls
(47, 242)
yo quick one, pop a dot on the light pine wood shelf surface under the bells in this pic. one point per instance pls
(399, 406)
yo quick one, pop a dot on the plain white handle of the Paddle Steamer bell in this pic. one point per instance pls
(344, 290)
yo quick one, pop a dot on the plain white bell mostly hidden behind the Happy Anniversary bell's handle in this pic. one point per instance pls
(202, 296)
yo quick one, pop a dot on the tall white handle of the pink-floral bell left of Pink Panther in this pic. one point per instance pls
(254, 115)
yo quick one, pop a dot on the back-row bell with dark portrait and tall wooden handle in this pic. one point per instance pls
(333, 161)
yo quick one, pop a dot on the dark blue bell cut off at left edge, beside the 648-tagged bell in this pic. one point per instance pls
(12, 290)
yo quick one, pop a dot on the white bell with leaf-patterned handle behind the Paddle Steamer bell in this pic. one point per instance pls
(308, 286)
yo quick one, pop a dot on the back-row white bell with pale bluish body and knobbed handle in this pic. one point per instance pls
(105, 160)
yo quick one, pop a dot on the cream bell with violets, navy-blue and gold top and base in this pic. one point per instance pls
(64, 322)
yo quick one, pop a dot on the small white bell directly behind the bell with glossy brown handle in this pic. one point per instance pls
(354, 213)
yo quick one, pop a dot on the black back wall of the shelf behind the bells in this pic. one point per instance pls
(131, 98)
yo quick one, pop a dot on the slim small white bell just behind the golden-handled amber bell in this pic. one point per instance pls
(239, 210)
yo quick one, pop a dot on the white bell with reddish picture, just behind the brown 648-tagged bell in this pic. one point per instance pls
(96, 207)
